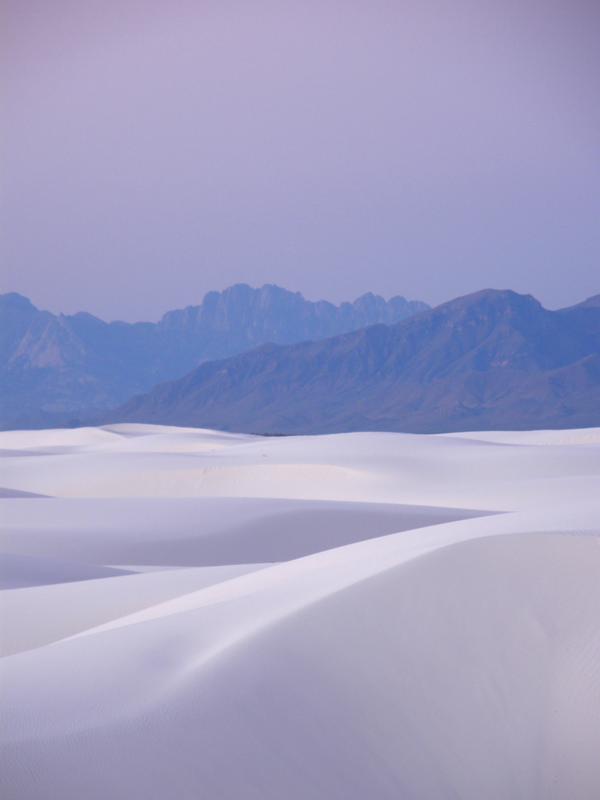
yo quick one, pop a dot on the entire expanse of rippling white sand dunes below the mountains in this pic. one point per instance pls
(343, 617)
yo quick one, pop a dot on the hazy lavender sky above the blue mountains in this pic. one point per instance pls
(155, 150)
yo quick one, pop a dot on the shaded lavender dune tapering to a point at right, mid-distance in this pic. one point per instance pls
(200, 531)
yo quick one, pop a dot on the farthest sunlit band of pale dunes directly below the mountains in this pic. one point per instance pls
(373, 467)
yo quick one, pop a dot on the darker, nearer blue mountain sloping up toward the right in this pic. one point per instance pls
(494, 359)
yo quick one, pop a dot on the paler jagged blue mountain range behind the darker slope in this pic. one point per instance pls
(57, 369)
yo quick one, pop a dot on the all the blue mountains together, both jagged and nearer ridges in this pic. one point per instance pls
(269, 361)
